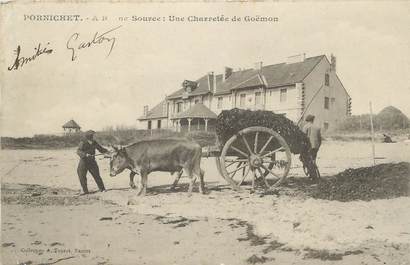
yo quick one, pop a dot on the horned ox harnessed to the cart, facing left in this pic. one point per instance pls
(168, 155)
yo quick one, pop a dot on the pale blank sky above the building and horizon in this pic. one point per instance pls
(371, 41)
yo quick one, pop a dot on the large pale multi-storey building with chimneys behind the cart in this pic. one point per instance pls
(295, 88)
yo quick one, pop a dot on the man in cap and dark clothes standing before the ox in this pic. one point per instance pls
(86, 152)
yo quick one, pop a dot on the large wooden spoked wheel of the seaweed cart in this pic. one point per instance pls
(255, 153)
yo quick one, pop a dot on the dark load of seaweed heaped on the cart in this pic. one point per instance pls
(230, 122)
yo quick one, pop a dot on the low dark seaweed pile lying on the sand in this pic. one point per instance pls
(382, 181)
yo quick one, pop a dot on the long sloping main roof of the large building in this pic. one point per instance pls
(275, 75)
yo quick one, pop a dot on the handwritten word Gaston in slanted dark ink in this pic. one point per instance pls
(98, 39)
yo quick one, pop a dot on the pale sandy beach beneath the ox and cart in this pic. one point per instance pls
(45, 221)
